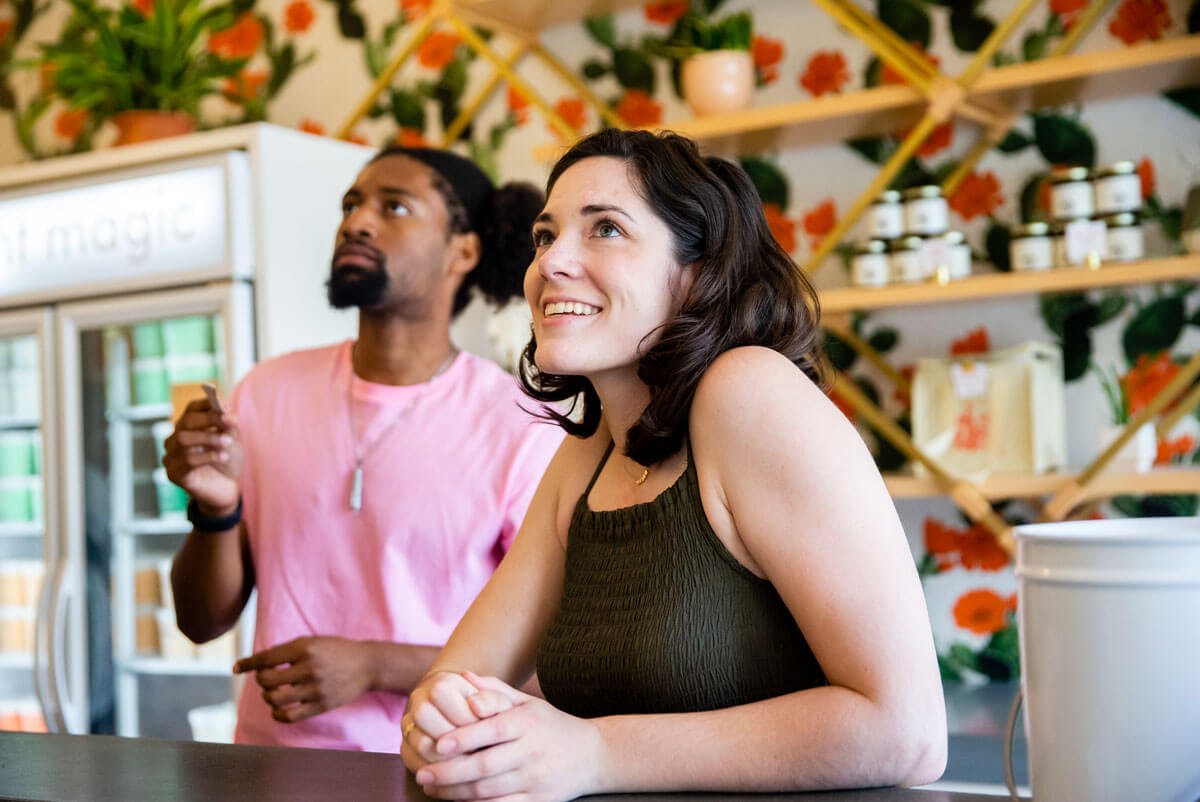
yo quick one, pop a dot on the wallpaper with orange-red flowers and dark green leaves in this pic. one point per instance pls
(309, 62)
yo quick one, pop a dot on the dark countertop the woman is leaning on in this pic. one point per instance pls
(110, 769)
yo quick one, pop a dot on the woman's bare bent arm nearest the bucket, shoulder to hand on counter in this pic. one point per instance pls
(787, 480)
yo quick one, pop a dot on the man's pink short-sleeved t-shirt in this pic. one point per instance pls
(443, 495)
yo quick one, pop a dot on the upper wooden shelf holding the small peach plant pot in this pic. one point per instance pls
(1106, 75)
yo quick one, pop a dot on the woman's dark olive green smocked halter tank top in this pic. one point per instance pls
(657, 617)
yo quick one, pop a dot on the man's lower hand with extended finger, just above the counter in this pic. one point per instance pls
(309, 677)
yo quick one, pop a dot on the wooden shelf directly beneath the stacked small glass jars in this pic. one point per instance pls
(1011, 284)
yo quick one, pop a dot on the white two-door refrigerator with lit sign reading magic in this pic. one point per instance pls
(127, 277)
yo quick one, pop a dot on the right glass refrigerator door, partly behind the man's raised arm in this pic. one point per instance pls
(137, 363)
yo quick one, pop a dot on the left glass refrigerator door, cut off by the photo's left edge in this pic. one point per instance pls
(25, 356)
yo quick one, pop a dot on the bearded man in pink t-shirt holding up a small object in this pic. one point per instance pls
(369, 489)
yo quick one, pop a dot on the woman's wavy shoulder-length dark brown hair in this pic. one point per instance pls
(747, 291)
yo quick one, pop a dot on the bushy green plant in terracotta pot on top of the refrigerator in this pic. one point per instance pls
(142, 67)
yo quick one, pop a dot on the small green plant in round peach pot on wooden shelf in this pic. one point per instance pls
(712, 59)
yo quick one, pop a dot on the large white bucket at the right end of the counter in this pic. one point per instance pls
(1111, 659)
